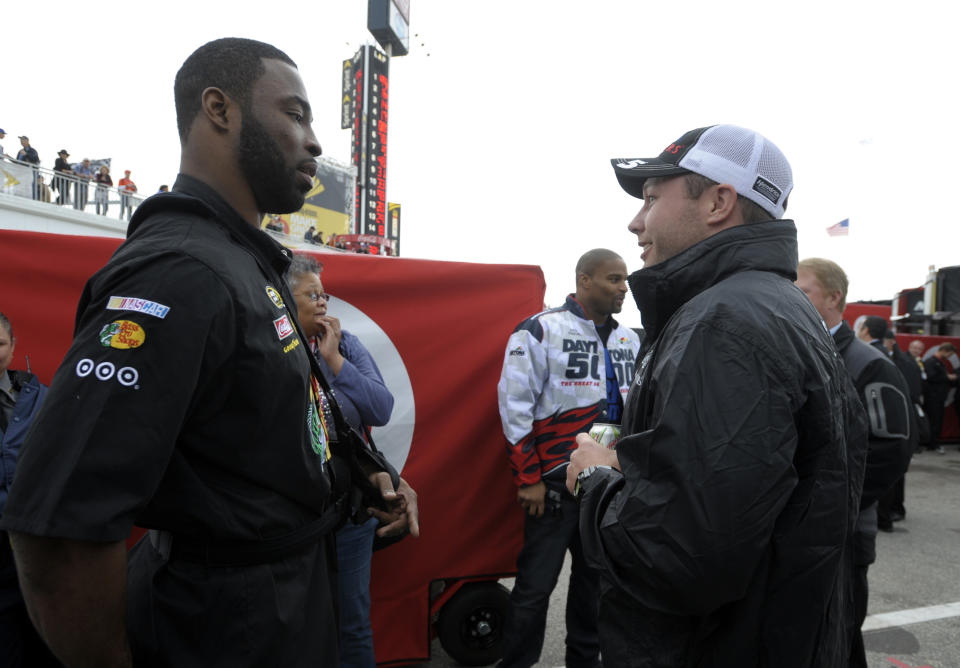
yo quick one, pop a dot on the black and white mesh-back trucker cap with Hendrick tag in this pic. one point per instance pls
(749, 162)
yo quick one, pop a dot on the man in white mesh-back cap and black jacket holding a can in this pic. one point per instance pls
(721, 524)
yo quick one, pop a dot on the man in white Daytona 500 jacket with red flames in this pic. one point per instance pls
(563, 370)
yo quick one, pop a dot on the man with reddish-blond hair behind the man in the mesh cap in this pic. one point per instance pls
(886, 398)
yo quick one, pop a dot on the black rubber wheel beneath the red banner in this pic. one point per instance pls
(471, 623)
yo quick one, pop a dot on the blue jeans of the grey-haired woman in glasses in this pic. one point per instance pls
(354, 549)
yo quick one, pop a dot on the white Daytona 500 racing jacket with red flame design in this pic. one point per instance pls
(554, 385)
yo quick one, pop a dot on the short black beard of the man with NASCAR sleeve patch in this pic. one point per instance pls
(272, 181)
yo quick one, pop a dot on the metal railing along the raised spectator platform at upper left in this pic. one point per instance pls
(45, 185)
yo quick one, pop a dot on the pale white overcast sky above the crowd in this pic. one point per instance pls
(505, 114)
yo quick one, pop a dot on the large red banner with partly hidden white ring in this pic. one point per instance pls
(441, 327)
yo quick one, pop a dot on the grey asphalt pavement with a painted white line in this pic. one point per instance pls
(914, 610)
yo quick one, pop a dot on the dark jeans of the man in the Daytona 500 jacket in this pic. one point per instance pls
(545, 543)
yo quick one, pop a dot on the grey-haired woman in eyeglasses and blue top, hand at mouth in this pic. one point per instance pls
(366, 402)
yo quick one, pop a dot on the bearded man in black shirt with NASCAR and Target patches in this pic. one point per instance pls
(188, 405)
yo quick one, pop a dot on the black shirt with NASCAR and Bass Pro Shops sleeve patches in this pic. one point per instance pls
(182, 402)
